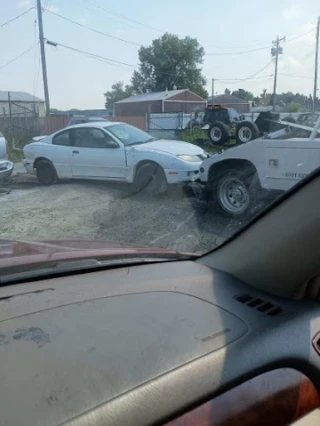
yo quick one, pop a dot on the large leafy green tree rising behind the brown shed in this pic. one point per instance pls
(170, 62)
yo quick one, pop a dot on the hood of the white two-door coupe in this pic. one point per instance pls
(170, 146)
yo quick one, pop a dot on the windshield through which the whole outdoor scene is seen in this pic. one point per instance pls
(232, 117)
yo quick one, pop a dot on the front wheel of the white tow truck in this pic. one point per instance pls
(234, 193)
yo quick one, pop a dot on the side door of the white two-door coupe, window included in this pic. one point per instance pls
(96, 154)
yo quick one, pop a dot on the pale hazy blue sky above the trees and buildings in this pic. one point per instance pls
(226, 30)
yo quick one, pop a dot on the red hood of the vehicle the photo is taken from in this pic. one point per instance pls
(29, 252)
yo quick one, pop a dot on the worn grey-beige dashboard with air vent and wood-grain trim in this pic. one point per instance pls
(174, 343)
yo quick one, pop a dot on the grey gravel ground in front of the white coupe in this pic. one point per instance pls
(106, 211)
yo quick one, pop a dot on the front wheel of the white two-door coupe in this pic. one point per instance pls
(150, 179)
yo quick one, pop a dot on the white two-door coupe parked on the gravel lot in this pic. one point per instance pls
(113, 151)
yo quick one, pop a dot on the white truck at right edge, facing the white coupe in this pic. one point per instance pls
(235, 179)
